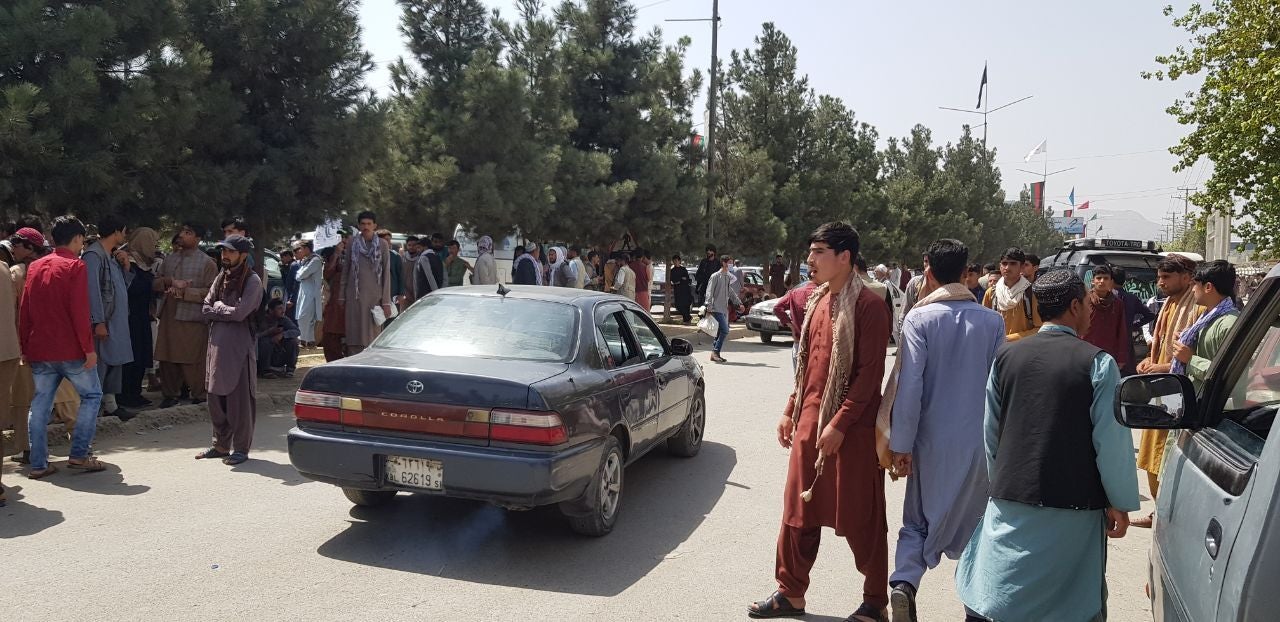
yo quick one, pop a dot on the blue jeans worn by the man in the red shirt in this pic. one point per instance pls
(48, 377)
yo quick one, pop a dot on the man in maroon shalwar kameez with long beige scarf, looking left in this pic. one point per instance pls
(834, 479)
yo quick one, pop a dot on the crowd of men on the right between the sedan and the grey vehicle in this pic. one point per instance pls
(999, 413)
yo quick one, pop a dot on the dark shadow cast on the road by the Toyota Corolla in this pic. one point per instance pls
(665, 501)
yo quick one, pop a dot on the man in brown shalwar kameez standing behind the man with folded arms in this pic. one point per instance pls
(184, 278)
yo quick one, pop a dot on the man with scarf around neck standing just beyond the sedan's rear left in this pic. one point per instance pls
(367, 283)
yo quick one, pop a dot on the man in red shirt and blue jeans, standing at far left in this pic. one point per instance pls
(57, 342)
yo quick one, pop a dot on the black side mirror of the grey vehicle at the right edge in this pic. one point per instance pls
(1156, 403)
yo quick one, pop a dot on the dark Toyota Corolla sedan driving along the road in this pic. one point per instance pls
(522, 397)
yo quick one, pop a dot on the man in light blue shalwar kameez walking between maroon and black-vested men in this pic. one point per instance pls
(949, 344)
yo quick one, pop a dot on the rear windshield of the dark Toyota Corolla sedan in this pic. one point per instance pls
(484, 327)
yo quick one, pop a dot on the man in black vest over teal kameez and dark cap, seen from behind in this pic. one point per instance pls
(1062, 473)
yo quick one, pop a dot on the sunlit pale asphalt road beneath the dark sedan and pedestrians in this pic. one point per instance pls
(163, 537)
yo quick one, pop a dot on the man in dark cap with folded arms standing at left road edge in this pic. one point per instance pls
(230, 307)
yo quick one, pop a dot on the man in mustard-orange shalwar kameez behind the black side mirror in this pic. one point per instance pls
(1174, 277)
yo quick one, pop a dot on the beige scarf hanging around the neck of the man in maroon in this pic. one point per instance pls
(842, 367)
